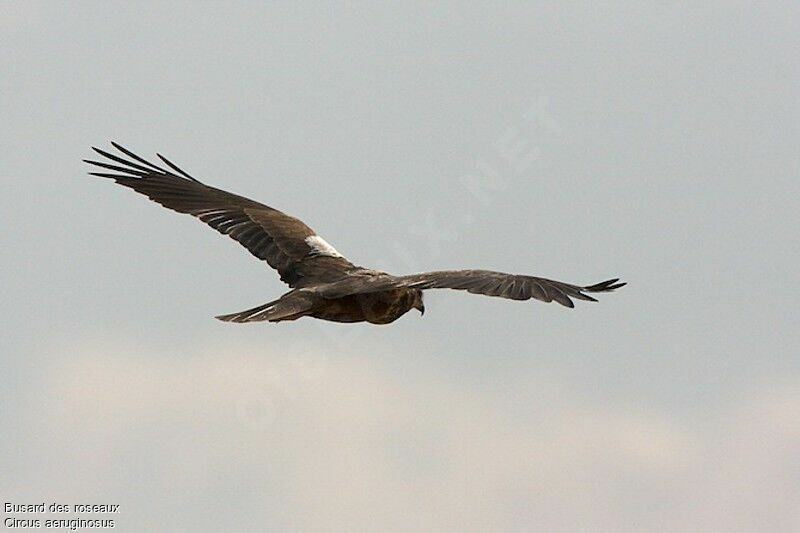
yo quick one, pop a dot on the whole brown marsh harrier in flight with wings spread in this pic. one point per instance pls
(324, 284)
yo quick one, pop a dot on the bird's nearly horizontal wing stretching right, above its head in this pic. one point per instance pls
(512, 286)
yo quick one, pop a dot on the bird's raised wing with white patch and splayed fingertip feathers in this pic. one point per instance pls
(289, 246)
